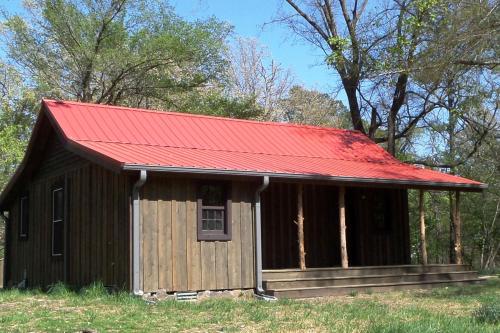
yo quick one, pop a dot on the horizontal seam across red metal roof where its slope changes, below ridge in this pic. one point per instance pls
(391, 162)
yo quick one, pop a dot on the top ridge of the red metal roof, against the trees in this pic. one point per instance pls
(185, 114)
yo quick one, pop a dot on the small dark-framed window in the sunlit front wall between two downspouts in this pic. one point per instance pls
(214, 217)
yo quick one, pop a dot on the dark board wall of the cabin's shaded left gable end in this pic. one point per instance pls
(97, 222)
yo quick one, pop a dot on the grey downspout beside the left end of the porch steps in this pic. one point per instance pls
(259, 291)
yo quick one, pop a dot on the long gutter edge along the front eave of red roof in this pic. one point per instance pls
(354, 181)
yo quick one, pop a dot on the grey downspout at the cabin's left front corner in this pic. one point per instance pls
(136, 233)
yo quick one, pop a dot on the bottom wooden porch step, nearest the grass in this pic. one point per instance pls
(365, 288)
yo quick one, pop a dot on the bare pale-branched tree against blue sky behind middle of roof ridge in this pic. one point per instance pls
(253, 74)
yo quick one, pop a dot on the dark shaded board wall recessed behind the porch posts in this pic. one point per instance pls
(366, 244)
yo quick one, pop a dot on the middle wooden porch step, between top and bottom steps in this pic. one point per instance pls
(308, 282)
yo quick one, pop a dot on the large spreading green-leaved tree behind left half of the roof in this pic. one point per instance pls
(136, 53)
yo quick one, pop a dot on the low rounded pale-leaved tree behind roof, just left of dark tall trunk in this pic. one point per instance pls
(312, 107)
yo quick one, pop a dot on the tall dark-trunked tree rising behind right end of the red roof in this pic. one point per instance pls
(376, 50)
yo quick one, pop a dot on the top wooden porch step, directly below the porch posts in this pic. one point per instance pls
(335, 272)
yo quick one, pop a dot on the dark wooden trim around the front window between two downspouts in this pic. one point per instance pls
(204, 235)
